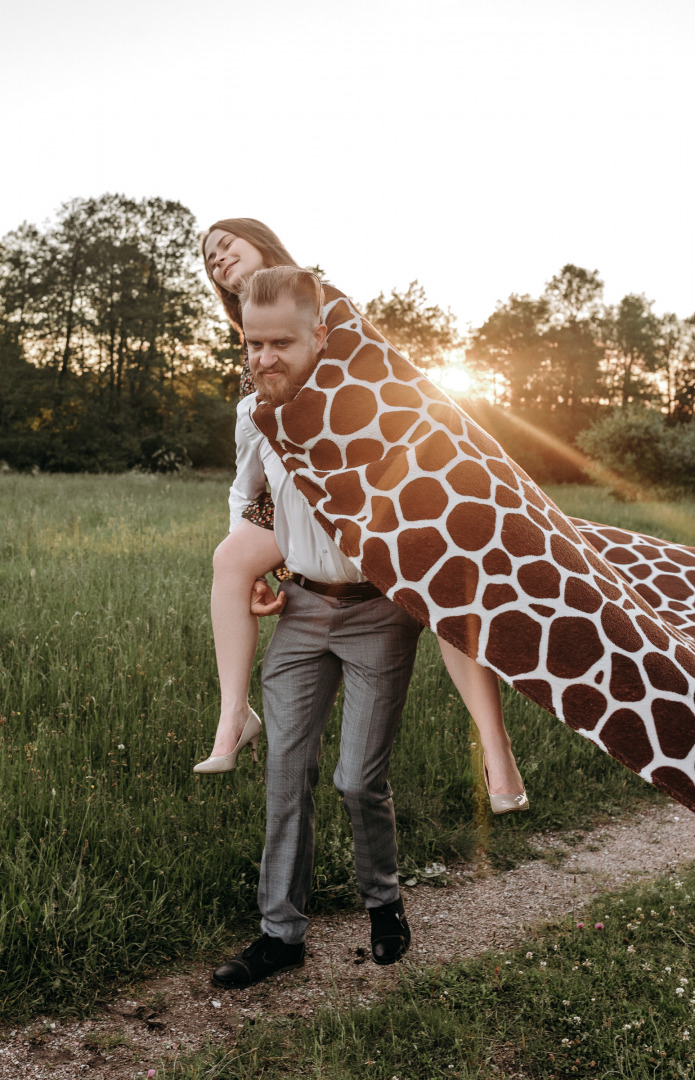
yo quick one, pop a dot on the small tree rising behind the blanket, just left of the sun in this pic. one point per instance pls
(424, 332)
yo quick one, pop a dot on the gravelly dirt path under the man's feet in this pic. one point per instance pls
(176, 1015)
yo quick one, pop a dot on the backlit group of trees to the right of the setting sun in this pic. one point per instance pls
(567, 352)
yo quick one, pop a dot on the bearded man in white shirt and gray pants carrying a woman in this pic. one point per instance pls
(335, 626)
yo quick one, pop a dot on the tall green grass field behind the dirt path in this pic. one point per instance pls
(115, 859)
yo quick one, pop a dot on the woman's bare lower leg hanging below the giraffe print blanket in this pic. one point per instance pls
(480, 690)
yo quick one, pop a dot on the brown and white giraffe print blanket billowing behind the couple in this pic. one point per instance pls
(589, 622)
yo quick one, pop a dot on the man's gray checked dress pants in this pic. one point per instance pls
(320, 641)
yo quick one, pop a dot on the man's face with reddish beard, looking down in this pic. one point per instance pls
(284, 344)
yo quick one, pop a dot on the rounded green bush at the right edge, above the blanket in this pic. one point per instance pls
(638, 445)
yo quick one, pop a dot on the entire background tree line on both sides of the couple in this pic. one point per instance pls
(115, 355)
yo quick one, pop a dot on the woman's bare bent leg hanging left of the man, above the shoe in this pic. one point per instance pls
(249, 552)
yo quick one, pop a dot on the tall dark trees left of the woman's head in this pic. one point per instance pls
(113, 353)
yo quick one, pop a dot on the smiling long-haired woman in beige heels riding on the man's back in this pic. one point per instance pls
(235, 249)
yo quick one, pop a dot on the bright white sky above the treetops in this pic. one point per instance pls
(475, 145)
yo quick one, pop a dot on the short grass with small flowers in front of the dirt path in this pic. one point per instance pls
(611, 997)
